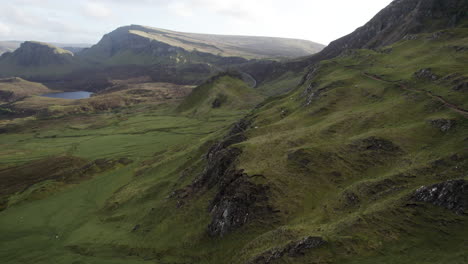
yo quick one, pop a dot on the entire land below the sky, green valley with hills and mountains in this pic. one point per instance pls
(195, 148)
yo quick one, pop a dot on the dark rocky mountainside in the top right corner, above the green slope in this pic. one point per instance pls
(400, 18)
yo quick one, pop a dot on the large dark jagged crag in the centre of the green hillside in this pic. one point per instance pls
(237, 199)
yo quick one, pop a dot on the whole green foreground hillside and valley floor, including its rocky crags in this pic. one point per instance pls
(326, 173)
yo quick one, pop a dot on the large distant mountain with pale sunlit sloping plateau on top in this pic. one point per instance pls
(148, 40)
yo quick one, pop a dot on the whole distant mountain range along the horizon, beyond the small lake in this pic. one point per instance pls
(138, 51)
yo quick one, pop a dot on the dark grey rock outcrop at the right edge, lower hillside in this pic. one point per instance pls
(452, 195)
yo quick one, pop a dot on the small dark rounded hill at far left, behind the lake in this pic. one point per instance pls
(36, 58)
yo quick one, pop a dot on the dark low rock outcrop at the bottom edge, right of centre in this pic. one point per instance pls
(293, 249)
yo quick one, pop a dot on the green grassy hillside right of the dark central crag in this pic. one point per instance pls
(312, 197)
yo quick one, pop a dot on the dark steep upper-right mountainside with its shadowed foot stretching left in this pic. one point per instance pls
(400, 19)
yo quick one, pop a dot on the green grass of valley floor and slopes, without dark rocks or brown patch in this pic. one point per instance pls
(94, 220)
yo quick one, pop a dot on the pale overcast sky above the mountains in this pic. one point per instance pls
(85, 21)
